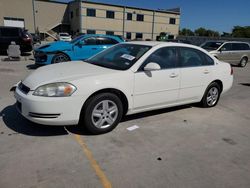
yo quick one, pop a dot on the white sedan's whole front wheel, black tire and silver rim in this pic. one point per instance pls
(102, 113)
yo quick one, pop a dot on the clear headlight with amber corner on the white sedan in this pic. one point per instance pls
(59, 89)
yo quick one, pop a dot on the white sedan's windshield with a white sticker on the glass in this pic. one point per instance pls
(119, 57)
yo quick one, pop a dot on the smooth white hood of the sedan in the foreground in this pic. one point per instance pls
(64, 72)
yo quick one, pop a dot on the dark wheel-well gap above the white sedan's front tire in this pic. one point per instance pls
(118, 93)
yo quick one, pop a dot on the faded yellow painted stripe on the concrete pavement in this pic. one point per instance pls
(101, 175)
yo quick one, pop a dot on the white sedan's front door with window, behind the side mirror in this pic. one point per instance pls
(159, 87)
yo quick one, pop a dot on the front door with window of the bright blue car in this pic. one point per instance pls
(85, 48)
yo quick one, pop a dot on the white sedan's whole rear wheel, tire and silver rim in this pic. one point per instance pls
(211, 95)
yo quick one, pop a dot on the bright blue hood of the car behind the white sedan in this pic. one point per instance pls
(55, 46)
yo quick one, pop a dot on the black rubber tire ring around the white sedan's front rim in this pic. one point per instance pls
(89, 106)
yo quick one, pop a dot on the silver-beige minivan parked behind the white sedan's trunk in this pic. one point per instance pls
(237, 53)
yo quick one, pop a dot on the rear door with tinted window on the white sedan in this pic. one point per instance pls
(196, 70)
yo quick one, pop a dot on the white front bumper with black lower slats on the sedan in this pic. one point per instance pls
(49, 110)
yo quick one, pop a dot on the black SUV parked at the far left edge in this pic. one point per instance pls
(19, 35)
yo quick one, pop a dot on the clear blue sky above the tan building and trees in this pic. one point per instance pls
(218, 15)
